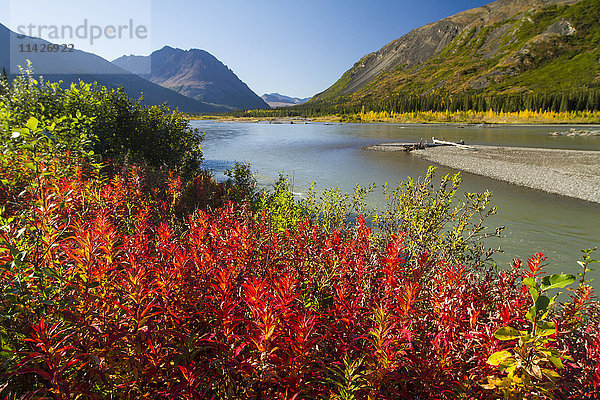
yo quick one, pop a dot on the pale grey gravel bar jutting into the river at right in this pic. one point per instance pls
(572, 173)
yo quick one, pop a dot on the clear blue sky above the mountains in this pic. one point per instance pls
(297, 48)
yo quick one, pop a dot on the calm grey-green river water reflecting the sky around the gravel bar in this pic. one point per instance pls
(331, 156)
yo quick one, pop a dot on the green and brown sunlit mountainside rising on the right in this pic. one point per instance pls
(505, 47)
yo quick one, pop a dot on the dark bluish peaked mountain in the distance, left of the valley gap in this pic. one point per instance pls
(196, 74)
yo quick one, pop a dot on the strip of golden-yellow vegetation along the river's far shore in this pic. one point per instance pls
(420, 117)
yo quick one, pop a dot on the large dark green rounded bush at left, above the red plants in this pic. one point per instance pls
(105, 121)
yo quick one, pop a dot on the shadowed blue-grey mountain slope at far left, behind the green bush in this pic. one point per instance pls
(73, 66)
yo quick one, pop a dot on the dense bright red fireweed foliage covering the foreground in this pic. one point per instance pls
(111, 290)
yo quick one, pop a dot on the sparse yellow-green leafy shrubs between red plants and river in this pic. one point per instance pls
(434, 220)
